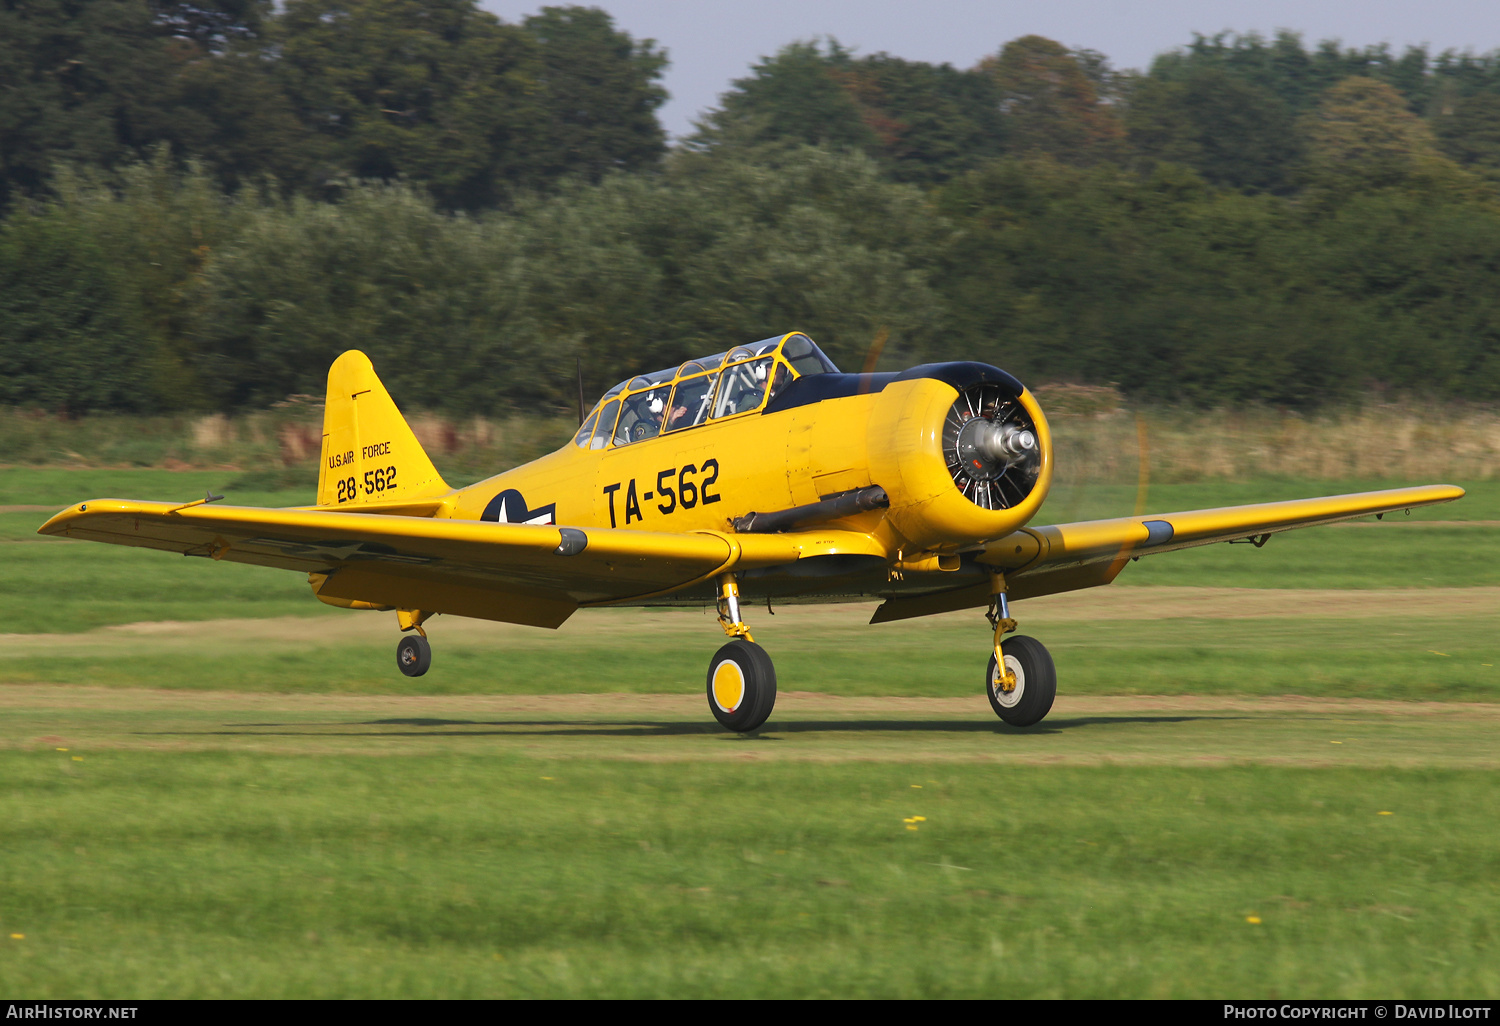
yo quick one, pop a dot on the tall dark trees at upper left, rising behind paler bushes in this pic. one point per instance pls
(317, 94)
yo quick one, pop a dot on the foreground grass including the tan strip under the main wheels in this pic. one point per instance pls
(175, 845)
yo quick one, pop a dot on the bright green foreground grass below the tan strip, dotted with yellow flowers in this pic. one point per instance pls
(209, 875)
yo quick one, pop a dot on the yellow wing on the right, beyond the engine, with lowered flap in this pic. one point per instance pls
(1064, 557)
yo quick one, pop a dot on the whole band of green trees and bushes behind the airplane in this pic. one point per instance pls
(482, 206)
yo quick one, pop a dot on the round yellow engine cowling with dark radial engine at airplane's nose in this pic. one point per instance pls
(964, 452)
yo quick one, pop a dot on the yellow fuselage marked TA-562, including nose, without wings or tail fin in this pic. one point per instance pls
(821, 436)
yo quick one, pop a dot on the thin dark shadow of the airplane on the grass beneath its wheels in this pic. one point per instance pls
(674, 728)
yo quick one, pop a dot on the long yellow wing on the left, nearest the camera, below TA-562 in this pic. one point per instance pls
(512, 572)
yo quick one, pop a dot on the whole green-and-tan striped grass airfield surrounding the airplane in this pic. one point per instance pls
(1270, 775)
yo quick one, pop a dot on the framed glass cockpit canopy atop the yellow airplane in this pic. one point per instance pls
(718, 388)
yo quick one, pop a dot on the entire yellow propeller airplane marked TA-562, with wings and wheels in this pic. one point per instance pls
(754, 475)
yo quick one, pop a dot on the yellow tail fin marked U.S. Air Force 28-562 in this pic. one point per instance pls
(370, 454)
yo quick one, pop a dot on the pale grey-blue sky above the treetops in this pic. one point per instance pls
(713, 43)
